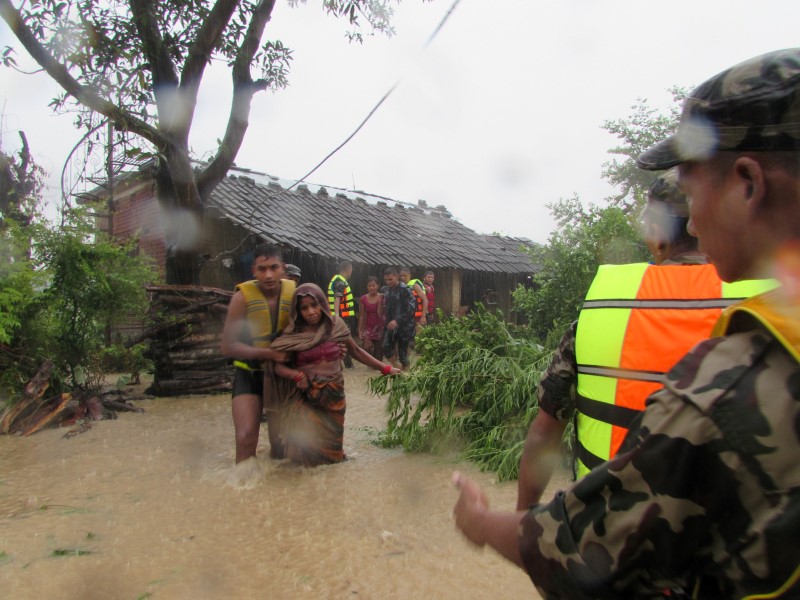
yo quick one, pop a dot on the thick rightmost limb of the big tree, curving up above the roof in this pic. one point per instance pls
(243, 91)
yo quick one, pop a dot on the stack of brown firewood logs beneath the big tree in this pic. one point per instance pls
(184, 340)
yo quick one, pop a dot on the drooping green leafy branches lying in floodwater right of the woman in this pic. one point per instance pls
(473, 390)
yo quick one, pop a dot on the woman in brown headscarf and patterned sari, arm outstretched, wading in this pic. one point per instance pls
(310, 385)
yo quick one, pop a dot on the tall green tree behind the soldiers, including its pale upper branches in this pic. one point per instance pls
(587, 236)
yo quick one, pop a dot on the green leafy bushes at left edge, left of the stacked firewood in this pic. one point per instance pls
(59, 304)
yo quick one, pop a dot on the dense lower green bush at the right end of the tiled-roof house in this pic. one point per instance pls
(585, 238)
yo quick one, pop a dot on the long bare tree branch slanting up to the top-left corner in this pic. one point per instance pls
(122, 119)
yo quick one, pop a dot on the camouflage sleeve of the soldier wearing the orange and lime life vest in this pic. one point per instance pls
(555, 386)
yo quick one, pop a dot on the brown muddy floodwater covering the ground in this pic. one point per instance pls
(150, 506)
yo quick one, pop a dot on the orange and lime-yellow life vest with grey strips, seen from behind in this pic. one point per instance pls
(637, 321)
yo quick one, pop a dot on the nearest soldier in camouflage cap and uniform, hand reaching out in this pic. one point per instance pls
(703, 498)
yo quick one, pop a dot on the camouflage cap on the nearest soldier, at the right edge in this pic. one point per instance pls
(754, 105)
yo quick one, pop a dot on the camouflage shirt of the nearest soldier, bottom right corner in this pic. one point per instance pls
(703, 497)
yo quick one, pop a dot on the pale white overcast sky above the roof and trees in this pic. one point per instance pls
(498, 117)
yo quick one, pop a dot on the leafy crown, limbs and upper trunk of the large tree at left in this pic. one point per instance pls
(140, 64)
